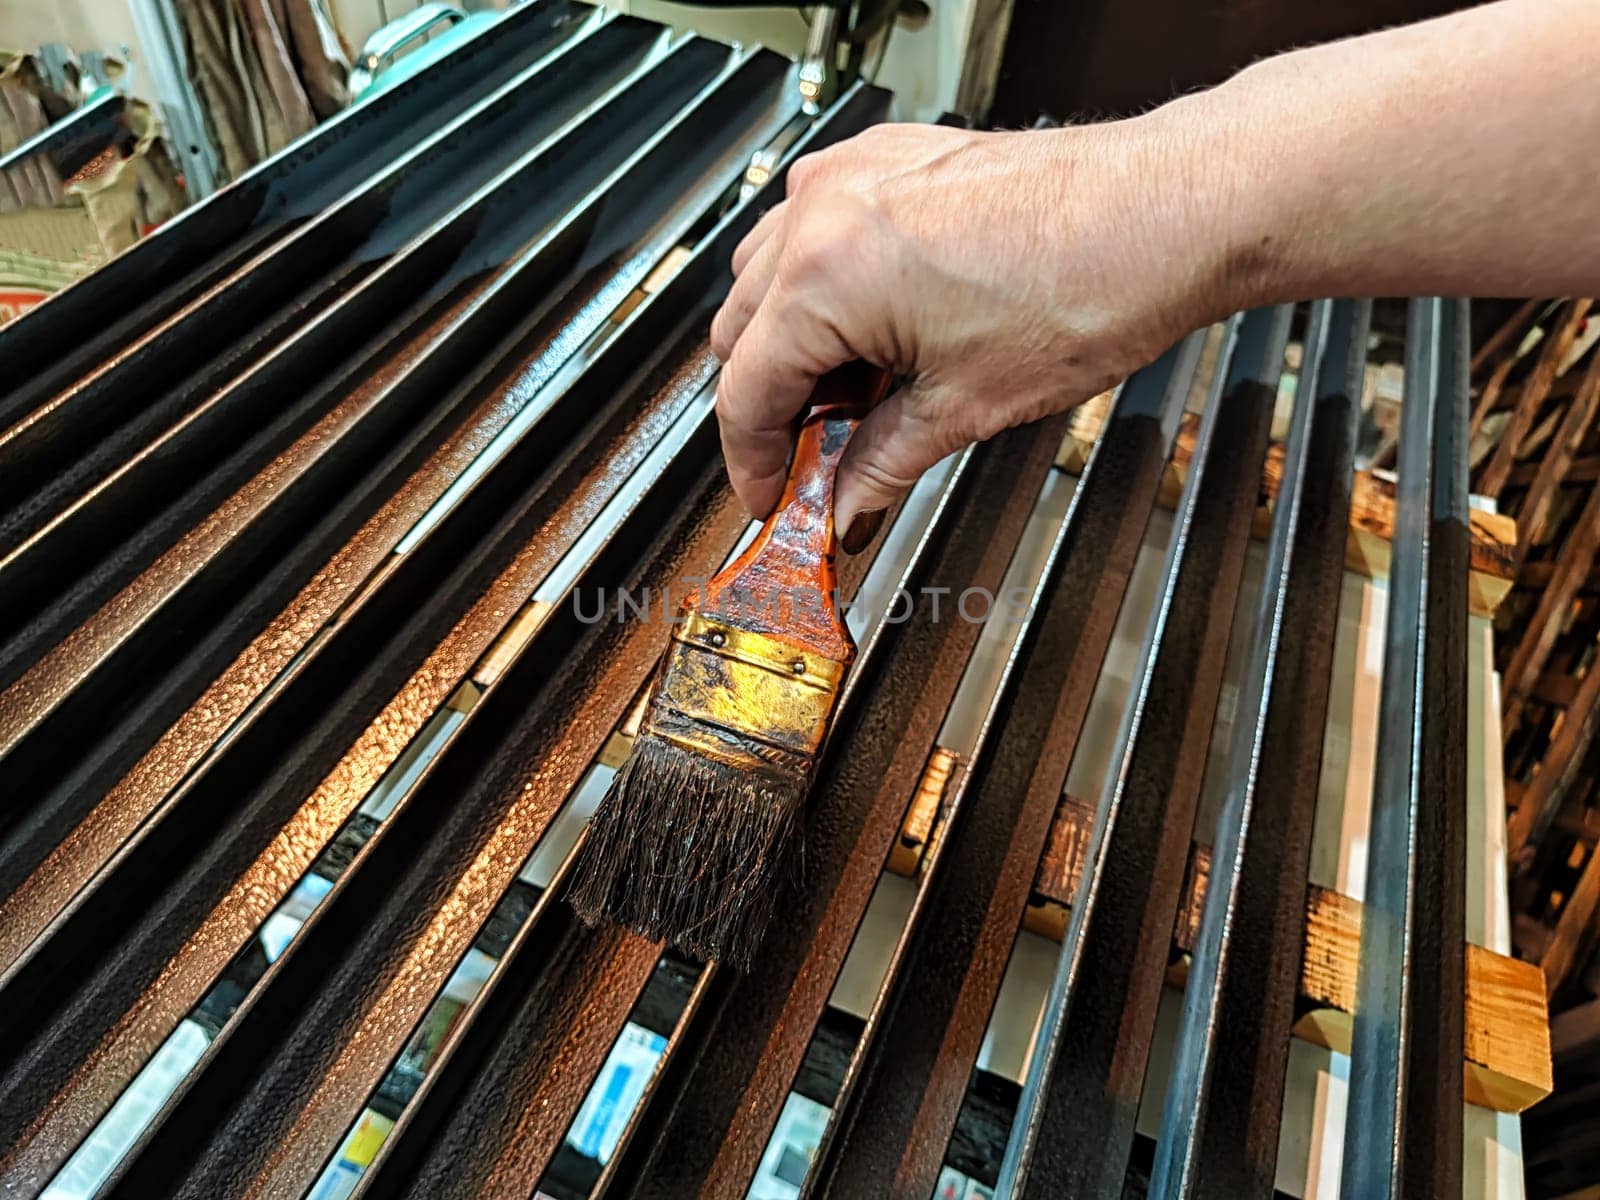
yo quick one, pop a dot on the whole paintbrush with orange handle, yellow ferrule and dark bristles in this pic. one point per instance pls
(700, 833)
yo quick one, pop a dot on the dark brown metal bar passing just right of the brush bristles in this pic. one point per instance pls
(722, 1090)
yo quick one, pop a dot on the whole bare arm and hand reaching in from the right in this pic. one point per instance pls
(1015, 274)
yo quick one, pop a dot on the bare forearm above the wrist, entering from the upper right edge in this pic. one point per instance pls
(1450, 158)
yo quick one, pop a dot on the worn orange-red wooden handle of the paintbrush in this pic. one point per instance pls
(785, 582)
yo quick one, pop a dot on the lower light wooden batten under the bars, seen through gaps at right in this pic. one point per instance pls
(1508, 1036)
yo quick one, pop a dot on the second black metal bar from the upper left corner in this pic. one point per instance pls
(79, 436)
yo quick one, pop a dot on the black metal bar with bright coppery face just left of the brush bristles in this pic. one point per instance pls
(279, 1087)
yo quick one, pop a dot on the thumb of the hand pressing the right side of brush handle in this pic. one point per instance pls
(895, 444)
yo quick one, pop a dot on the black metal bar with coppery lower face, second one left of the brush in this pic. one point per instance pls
(316, 706)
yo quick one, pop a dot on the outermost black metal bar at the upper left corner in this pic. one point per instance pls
(89, 321)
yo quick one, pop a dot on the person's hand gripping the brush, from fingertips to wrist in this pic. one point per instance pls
(1006, 276)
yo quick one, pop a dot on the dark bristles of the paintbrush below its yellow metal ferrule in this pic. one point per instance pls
(690, 850)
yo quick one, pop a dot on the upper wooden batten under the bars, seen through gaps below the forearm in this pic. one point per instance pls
(1372, 510)
